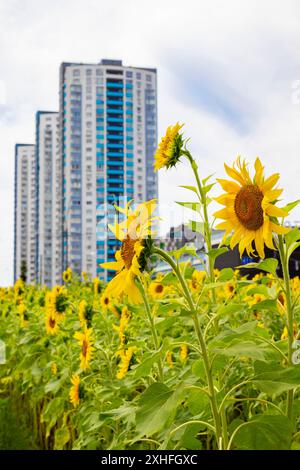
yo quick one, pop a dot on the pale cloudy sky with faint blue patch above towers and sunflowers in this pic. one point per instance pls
(229, 70)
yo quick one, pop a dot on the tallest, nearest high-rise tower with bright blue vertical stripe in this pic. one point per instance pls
(108, 129)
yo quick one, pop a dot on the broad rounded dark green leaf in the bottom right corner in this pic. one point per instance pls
(265, 432)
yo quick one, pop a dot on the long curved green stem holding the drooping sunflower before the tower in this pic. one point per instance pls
(206, 361)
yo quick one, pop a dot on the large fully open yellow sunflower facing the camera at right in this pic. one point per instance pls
(250, 210)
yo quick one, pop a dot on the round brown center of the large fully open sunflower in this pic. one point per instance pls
(247, 206)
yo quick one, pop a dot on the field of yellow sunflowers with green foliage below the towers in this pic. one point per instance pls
(192, 359)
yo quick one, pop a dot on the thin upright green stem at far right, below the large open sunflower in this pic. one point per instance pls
(290, 320)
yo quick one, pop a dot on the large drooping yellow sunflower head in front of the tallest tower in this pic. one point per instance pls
(134, 232)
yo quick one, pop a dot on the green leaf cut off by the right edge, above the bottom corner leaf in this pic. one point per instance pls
(278, 381)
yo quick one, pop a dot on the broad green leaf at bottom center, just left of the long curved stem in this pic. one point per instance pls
(157, 407)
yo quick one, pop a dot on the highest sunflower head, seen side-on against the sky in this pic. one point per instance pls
(170, 148)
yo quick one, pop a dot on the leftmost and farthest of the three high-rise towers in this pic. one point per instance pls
(25, 213)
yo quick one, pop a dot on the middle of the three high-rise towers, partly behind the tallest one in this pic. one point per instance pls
(49, 199)
